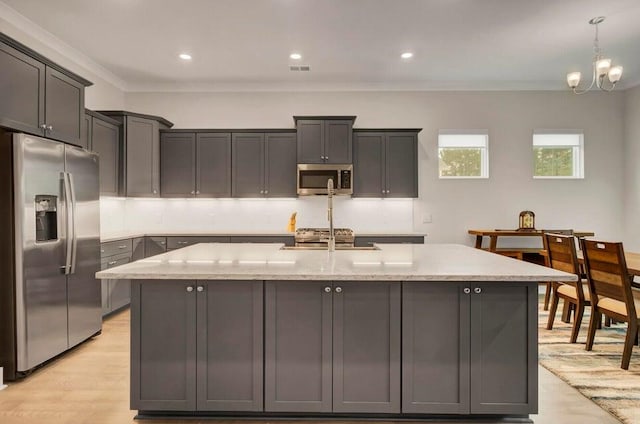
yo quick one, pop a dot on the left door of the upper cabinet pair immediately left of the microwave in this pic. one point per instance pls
(247, 152)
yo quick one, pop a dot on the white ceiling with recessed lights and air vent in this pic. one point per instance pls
(349, 44)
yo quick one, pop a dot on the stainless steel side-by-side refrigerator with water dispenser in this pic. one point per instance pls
(51, 301)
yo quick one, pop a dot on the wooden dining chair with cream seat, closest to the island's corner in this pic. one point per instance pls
(561, 255)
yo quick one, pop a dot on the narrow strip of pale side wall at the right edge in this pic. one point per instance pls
(632, 169)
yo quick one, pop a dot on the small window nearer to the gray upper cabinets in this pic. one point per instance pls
(463, 154)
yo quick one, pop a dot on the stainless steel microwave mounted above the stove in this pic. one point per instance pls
(313, 178)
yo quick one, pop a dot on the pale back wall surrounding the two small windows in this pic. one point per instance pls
(593, 203)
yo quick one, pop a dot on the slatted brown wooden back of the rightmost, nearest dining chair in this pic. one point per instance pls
(607, 271)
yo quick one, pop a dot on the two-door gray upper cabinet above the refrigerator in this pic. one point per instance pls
(38, 96)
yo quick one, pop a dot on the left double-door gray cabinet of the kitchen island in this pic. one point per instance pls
(214, 360)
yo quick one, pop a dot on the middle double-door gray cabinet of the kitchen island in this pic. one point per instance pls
(332, 347)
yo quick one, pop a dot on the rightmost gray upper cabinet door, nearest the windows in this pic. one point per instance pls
(401, 165)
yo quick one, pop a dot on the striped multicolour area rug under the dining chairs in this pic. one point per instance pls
(596, 374)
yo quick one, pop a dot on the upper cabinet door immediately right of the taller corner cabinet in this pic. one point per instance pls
(178, 165)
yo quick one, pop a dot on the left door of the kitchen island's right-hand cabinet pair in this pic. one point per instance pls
(435, 348)
